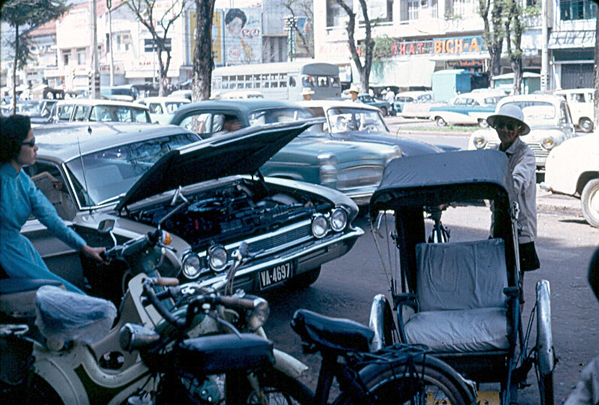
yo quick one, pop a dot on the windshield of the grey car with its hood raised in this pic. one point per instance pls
(110, 173)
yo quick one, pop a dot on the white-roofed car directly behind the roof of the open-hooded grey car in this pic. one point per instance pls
(101, 110)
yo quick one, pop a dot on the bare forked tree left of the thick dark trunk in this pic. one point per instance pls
(159, 21)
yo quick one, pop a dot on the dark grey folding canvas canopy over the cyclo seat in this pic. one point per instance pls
(411, 184)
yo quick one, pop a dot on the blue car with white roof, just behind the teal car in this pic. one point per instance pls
(349, 121)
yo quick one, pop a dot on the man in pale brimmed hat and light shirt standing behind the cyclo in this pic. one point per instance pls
(509, 124)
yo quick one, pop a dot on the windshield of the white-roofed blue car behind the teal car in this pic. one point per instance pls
(354, 119)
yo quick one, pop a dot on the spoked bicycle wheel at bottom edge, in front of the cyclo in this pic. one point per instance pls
(442, 384)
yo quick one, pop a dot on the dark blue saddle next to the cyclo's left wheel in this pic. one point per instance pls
(334, 333)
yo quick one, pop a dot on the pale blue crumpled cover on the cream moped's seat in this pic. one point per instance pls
(68, 316)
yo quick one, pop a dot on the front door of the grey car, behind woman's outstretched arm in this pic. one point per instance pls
(59, 257)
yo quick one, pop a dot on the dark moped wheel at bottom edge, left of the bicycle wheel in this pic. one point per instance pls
(278, 388)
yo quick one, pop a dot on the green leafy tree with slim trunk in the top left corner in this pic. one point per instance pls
(24, 15)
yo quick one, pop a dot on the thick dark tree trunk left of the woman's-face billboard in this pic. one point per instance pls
(203, 60)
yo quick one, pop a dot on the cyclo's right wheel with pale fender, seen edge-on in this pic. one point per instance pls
(545, 356)
